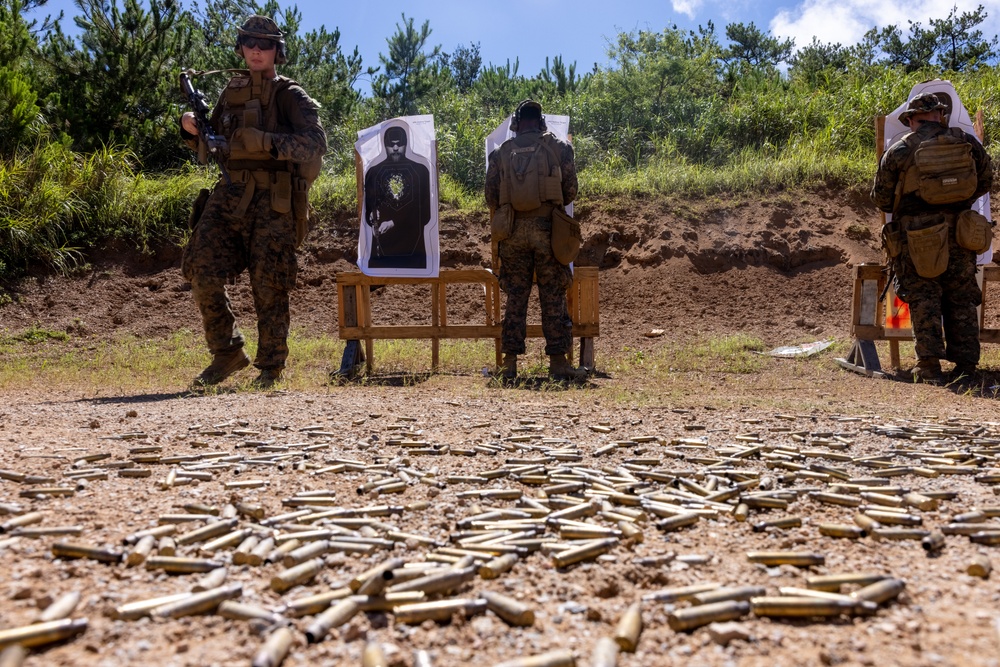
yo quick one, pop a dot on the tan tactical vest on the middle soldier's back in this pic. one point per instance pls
(530, 174)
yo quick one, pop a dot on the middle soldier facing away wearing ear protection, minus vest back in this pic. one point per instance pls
(528, 251)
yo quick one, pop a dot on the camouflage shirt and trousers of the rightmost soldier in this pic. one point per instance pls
(954, 295)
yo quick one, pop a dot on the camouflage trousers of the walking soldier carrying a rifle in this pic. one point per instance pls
(221, 247)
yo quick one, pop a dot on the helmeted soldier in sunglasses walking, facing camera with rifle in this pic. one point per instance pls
(272, 126)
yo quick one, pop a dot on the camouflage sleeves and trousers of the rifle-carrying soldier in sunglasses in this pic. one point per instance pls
(261, 242)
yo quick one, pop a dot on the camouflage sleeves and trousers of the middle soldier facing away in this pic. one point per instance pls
(527, 254)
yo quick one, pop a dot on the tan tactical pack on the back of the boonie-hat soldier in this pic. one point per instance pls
(940, 170)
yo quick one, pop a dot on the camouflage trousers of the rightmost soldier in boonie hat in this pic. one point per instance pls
(943, 308)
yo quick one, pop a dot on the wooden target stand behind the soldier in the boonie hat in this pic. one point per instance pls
(868, 310)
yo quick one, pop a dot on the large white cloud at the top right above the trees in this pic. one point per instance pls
(846, 21)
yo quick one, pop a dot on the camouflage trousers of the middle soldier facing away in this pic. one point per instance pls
(527, 254)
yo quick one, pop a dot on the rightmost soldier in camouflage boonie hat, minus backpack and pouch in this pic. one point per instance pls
(954, 295)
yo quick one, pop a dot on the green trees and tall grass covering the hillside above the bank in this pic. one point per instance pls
(90, 153)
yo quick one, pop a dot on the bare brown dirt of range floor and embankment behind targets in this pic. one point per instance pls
(778, 268)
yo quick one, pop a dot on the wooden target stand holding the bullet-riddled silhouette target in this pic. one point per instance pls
(354, 311)
